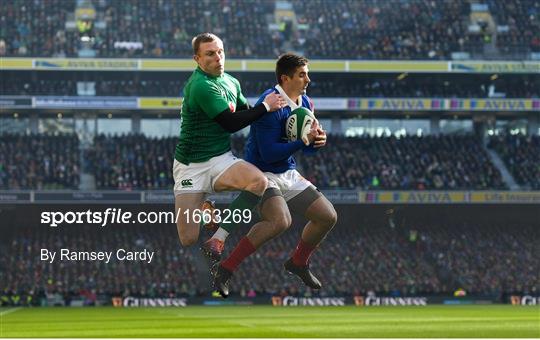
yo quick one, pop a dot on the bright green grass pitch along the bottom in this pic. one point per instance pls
(276, 322)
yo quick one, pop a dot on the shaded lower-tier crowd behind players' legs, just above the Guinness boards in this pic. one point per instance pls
(411, 257)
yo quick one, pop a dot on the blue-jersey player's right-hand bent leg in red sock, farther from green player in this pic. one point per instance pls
(322, 218)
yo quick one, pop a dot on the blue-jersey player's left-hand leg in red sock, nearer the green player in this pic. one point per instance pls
(276, 218)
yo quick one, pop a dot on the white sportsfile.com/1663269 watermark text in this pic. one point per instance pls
(121, 216)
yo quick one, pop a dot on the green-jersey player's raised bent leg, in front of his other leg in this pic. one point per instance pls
(234, 174)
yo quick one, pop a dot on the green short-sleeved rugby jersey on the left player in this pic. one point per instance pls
(206, 96)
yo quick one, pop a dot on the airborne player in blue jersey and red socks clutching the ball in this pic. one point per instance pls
(268, 149)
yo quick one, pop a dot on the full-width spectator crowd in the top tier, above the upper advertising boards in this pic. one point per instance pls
(415, 29)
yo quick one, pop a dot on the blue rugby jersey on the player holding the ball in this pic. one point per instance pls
(267, 147)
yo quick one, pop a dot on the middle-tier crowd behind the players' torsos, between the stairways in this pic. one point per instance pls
(410, 163)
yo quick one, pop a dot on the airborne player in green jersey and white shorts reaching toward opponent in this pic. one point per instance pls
(213, 108)
